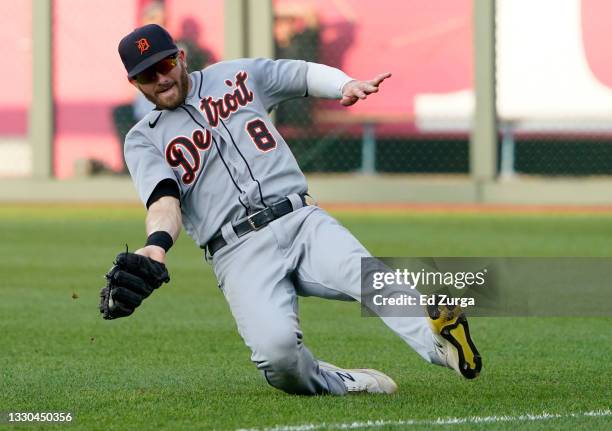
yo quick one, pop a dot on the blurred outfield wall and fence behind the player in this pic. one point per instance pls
(490, 101)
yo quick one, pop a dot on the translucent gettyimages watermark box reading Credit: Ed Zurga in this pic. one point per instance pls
(395, 287)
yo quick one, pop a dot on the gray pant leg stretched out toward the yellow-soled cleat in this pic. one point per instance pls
(332, 260)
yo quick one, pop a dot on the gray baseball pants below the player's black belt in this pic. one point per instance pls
(307, 253)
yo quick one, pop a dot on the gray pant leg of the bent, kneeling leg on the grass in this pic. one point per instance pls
(255, 279)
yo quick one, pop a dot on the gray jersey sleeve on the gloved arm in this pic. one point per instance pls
(146, 164)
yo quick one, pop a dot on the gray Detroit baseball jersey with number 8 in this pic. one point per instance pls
(220, 145)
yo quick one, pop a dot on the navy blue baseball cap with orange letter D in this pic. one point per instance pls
(144, 47)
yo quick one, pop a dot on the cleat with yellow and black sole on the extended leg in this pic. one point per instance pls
(453, 341)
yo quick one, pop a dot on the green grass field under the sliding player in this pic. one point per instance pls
(178, 362)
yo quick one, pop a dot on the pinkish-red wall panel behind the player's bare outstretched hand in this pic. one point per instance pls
(427, 45)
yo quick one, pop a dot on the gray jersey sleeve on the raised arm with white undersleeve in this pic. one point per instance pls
(279, 80)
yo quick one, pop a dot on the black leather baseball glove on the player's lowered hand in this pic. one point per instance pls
(131, 279)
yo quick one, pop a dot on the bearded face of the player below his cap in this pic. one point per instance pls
(169, 90)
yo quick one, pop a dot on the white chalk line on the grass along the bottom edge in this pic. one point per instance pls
(431, 422)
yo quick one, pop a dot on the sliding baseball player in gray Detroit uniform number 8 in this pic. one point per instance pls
(210, 159)
